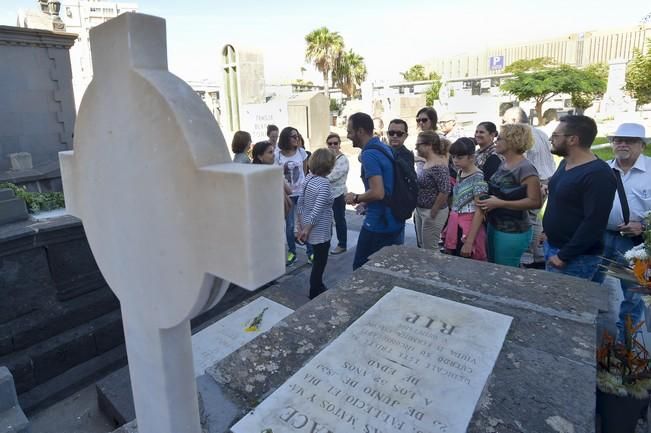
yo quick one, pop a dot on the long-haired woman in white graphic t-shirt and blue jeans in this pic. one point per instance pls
(293, 159)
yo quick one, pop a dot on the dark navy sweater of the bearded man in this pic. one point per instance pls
(578, 207)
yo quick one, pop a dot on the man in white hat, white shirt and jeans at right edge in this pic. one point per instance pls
(634, 170)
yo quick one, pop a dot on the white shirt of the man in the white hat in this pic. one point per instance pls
(637, 184)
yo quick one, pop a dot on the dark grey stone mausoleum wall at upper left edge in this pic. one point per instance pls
(37, 115)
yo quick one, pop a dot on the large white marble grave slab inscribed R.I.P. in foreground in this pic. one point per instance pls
(412, 363)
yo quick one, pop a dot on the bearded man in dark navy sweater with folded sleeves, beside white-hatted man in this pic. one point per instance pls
(581, 193)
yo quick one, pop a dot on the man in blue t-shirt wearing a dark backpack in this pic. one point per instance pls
(389, 195)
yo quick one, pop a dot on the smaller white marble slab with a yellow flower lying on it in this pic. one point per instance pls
(229, 334)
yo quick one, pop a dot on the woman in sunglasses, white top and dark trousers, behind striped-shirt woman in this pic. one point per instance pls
(337, 179)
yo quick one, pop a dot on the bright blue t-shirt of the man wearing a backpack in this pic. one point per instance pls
(379, 218)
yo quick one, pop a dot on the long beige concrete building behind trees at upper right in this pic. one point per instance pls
(577, 49)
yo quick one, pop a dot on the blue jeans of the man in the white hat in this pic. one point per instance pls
(615, 246)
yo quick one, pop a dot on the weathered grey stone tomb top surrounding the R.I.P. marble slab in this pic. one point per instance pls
(544, 376)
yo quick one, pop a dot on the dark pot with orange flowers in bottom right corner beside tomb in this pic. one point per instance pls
(623, 381)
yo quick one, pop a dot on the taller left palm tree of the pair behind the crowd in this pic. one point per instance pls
(323, 48)
